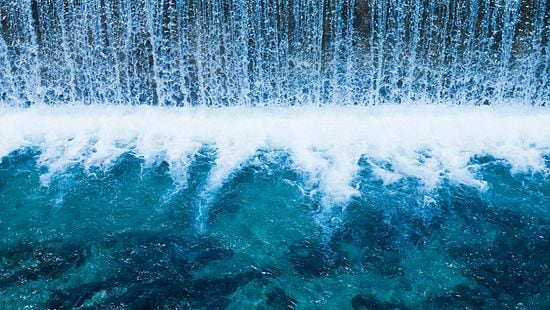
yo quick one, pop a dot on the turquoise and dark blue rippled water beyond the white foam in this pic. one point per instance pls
(128, 235)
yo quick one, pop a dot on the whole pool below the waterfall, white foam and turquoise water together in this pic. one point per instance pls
(99, 210)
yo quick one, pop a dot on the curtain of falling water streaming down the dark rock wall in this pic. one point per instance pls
(285, 52)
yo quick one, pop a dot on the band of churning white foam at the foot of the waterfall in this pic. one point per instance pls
(426, 142)
